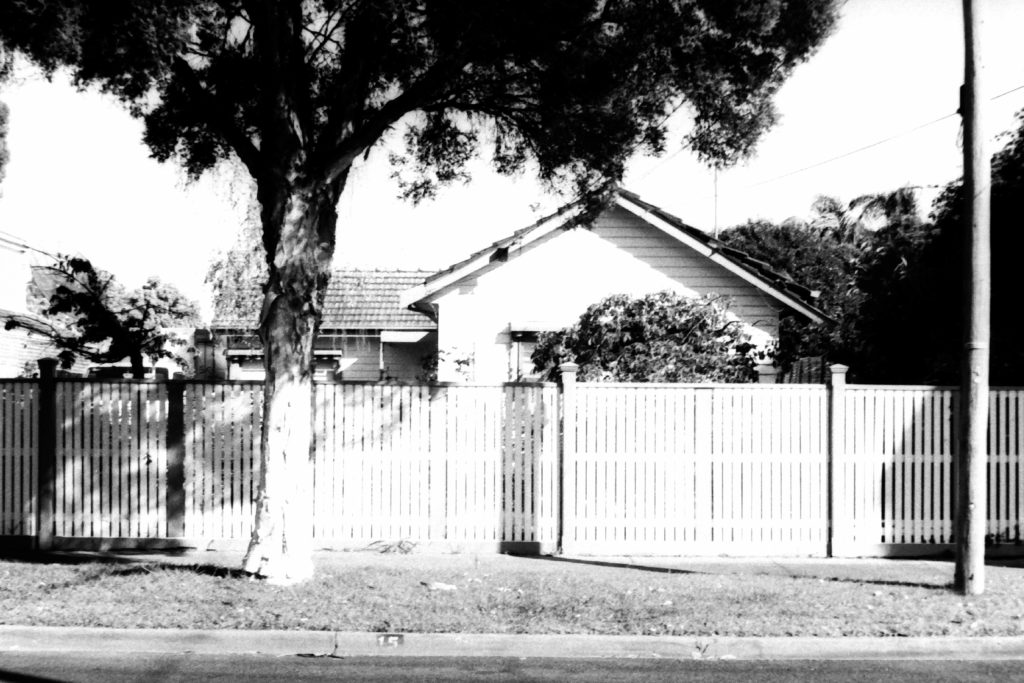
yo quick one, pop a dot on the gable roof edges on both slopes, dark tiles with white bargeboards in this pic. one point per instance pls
(758, 274)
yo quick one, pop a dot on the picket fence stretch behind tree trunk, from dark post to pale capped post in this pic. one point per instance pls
(462, 465)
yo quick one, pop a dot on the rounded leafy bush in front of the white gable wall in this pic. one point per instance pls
(664, 337)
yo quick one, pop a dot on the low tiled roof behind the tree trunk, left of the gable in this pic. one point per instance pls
(360, 301)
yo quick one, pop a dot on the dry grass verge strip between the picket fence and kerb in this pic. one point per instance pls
(503, 594)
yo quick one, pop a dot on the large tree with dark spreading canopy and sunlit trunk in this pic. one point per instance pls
(297, 91)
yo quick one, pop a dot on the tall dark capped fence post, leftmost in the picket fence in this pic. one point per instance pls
(48, 471)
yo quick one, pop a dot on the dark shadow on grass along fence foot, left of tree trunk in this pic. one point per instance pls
(124, 564)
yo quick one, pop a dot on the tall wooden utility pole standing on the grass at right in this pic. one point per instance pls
(971, 487)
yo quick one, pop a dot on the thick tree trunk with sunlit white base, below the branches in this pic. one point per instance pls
(300, 228)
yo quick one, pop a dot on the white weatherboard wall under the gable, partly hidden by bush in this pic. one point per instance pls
(554, 280)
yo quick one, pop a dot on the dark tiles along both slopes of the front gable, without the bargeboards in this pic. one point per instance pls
(781, 282)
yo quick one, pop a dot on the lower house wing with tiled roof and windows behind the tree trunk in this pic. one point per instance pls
(366, 334)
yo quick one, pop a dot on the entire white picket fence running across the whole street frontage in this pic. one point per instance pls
(643, 468)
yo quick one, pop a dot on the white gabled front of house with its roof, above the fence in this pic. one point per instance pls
(491, 307)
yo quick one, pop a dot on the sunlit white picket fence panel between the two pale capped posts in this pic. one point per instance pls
(676, 469)
